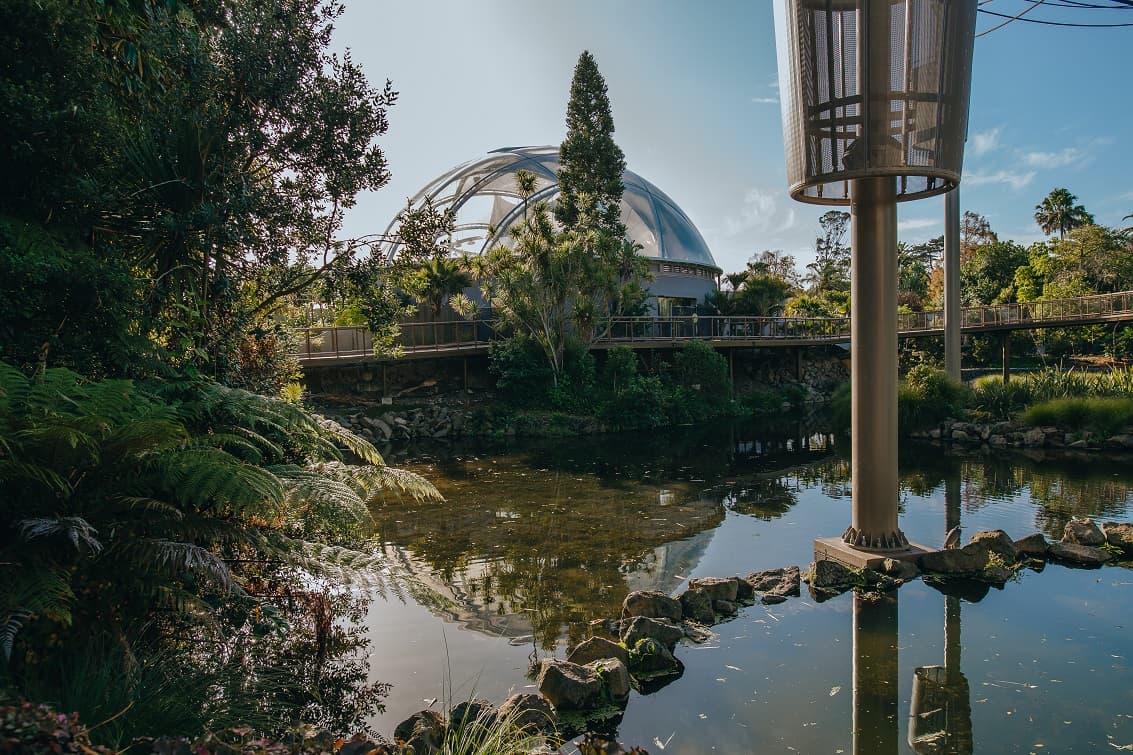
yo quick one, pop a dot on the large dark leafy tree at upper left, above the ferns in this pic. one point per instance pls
(211, 148)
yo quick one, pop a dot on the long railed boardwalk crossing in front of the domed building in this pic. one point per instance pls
(424, 341)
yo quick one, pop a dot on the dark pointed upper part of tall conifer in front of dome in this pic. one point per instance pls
(591, 164)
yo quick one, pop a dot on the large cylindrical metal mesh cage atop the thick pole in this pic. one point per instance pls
(873, 89)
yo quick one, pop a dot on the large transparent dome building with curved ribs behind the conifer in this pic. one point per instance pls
(484, 196)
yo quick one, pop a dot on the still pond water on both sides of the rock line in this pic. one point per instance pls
(538, 539)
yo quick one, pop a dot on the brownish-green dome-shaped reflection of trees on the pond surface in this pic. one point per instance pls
(524, 550)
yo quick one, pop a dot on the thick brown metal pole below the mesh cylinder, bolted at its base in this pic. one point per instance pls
(874, 367)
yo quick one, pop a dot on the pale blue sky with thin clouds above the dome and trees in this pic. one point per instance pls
(695, 99)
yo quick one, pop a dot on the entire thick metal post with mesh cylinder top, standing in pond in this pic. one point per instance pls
(875, 111)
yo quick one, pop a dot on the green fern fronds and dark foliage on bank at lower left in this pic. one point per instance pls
(134, 518)
